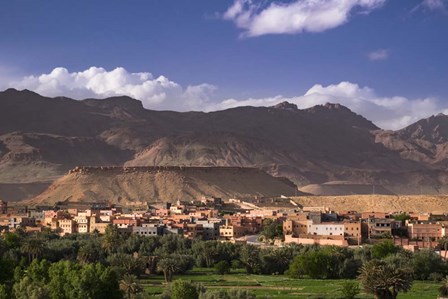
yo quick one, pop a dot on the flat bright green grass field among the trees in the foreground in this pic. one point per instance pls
(277, 286)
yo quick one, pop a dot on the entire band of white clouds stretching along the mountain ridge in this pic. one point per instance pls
(163, 94)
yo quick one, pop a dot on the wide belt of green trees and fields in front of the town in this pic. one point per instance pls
(116, 265)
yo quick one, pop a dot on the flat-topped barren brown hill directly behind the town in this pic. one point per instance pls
(136, 185)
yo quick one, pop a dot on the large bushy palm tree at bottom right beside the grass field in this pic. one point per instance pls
(385, 280)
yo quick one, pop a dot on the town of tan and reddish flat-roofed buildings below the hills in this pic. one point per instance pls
(263, 222)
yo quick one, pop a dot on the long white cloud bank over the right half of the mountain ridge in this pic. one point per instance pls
(386, 112)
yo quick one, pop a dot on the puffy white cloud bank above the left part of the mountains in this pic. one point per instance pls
(155, 93)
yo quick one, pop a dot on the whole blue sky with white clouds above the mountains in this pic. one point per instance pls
(385, 59)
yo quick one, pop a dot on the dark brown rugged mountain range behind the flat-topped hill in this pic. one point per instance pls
(42, 138)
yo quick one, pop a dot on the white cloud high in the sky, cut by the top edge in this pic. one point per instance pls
(257, 18)
